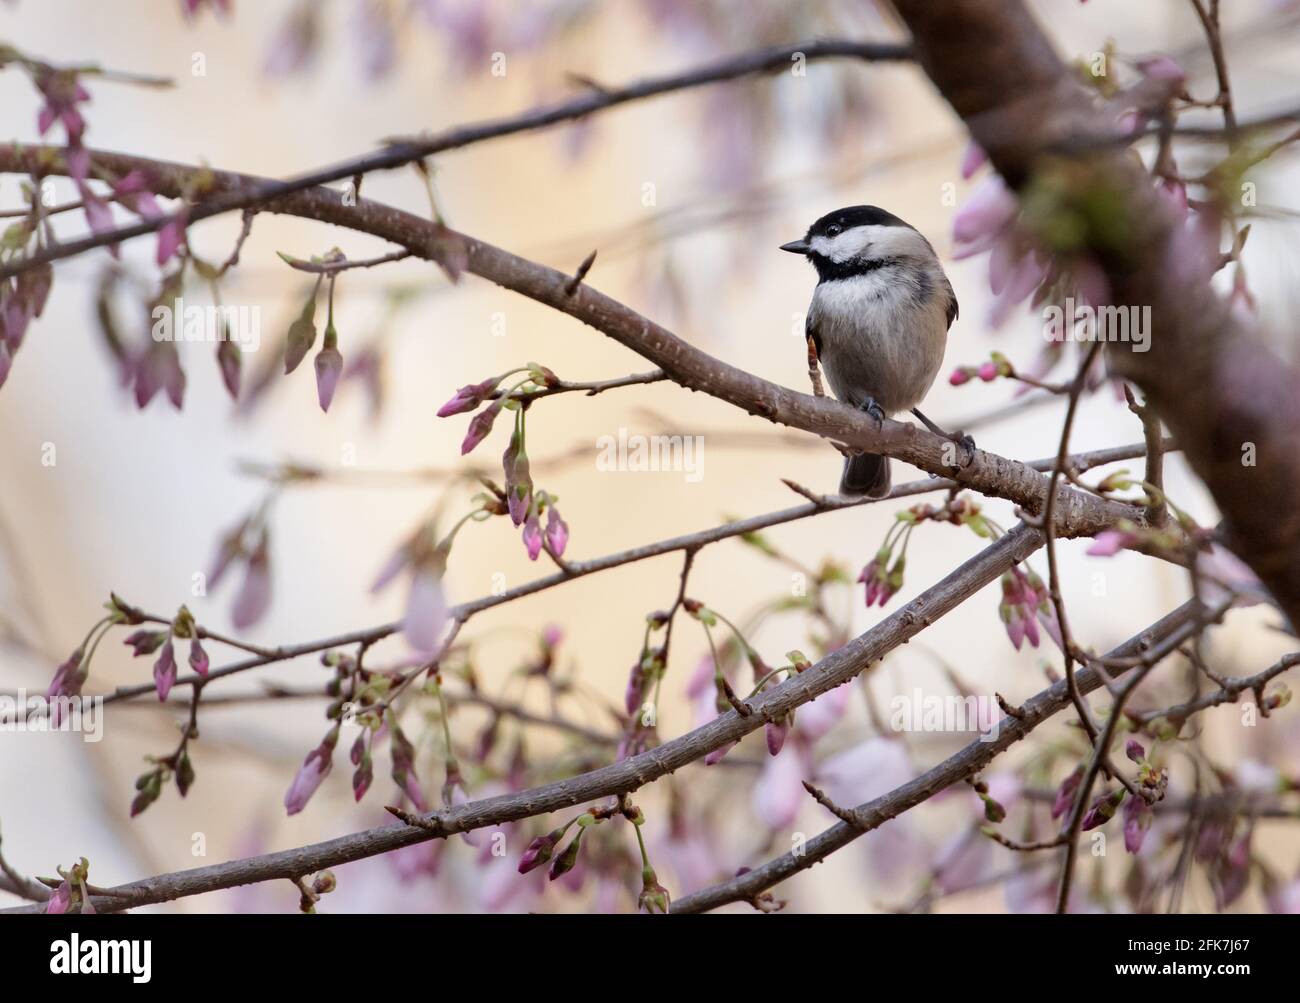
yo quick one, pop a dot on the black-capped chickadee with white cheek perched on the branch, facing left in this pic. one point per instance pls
(879, 322)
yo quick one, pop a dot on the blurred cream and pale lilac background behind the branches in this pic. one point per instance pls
(687, 199)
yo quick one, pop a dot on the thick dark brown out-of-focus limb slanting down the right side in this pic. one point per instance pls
(1228, 398)
